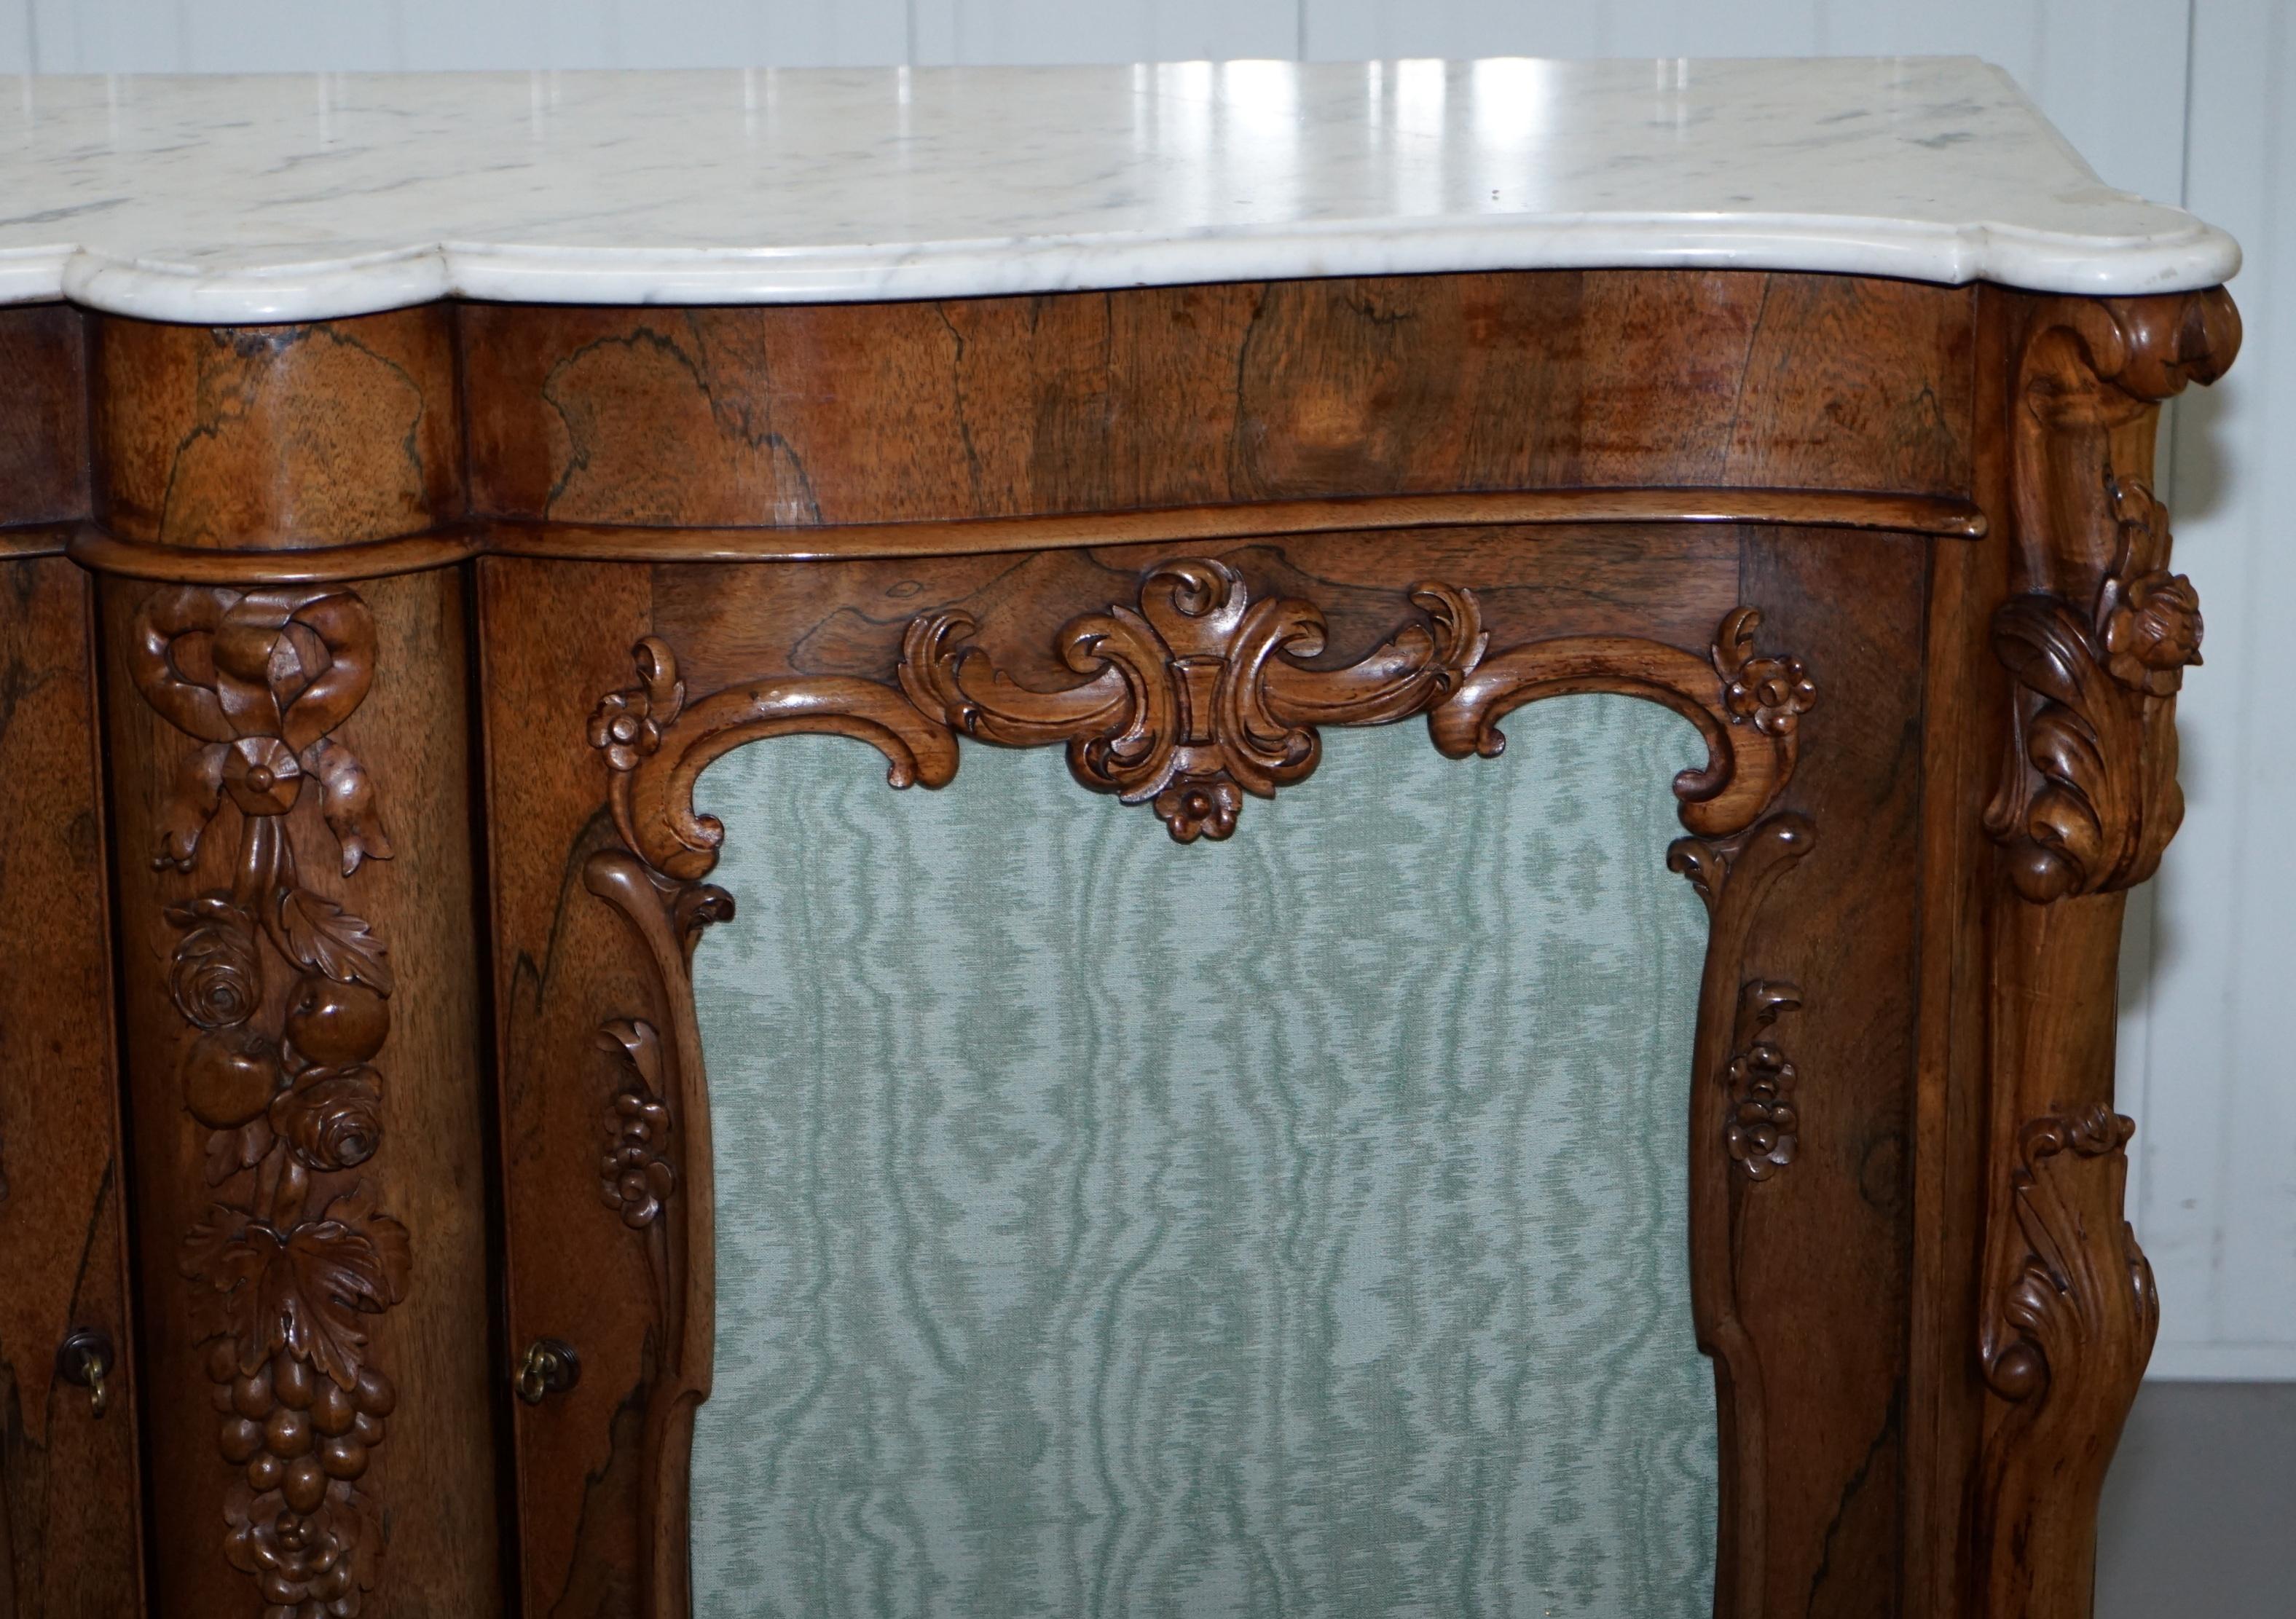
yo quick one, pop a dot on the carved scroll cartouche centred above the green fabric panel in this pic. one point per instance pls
(1200, 695)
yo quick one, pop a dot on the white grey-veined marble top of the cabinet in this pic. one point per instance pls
(302, 196)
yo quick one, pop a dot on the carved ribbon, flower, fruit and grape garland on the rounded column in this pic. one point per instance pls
(290, 1002)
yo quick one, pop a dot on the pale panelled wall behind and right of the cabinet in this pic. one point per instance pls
(2182, 100)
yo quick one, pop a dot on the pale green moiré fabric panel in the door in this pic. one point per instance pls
(1282, 1227)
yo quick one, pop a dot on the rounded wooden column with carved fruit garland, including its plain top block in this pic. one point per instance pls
(288, 729)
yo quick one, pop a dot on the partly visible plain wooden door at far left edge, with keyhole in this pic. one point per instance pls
(70, 1531)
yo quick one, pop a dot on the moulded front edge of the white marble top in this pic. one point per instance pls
(952, 270)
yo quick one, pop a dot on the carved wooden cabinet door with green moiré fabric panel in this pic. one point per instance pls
(1186, 1227)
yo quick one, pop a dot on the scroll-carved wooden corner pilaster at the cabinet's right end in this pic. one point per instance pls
(2095, 635)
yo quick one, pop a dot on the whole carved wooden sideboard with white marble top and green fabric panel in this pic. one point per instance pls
(414, 488)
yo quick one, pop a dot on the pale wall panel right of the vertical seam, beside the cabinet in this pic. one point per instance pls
(2219, 1195)
